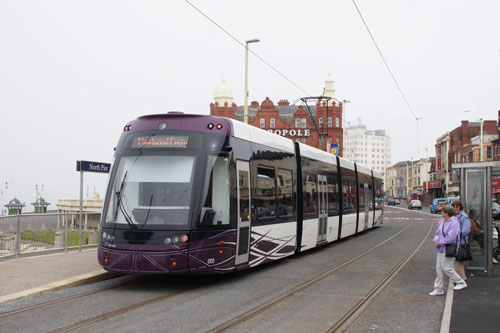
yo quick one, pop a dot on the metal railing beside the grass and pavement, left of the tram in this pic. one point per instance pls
(31, 233)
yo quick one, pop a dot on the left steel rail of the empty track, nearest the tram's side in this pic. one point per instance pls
(267, 305)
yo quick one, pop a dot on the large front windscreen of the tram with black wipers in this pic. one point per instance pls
(151, 190)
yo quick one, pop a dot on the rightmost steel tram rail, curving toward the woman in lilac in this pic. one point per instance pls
(360, 306)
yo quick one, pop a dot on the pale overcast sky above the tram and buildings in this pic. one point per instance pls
(73, 73)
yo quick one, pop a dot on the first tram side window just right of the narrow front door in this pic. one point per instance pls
(265, 193)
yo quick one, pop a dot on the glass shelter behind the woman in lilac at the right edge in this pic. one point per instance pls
(476, 193)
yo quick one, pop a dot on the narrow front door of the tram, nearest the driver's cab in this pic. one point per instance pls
(243, 225)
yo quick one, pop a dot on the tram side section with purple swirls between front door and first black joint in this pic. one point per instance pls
(274, 211)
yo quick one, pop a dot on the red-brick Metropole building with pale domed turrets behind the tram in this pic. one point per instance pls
(291, 121)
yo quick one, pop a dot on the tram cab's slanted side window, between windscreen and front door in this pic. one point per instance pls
(215, 210)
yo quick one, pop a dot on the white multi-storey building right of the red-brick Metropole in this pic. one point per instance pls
(369, 148)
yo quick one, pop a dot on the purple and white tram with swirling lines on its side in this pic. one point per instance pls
(205, 195)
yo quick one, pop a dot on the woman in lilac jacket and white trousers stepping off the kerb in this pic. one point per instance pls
(447, 233)
